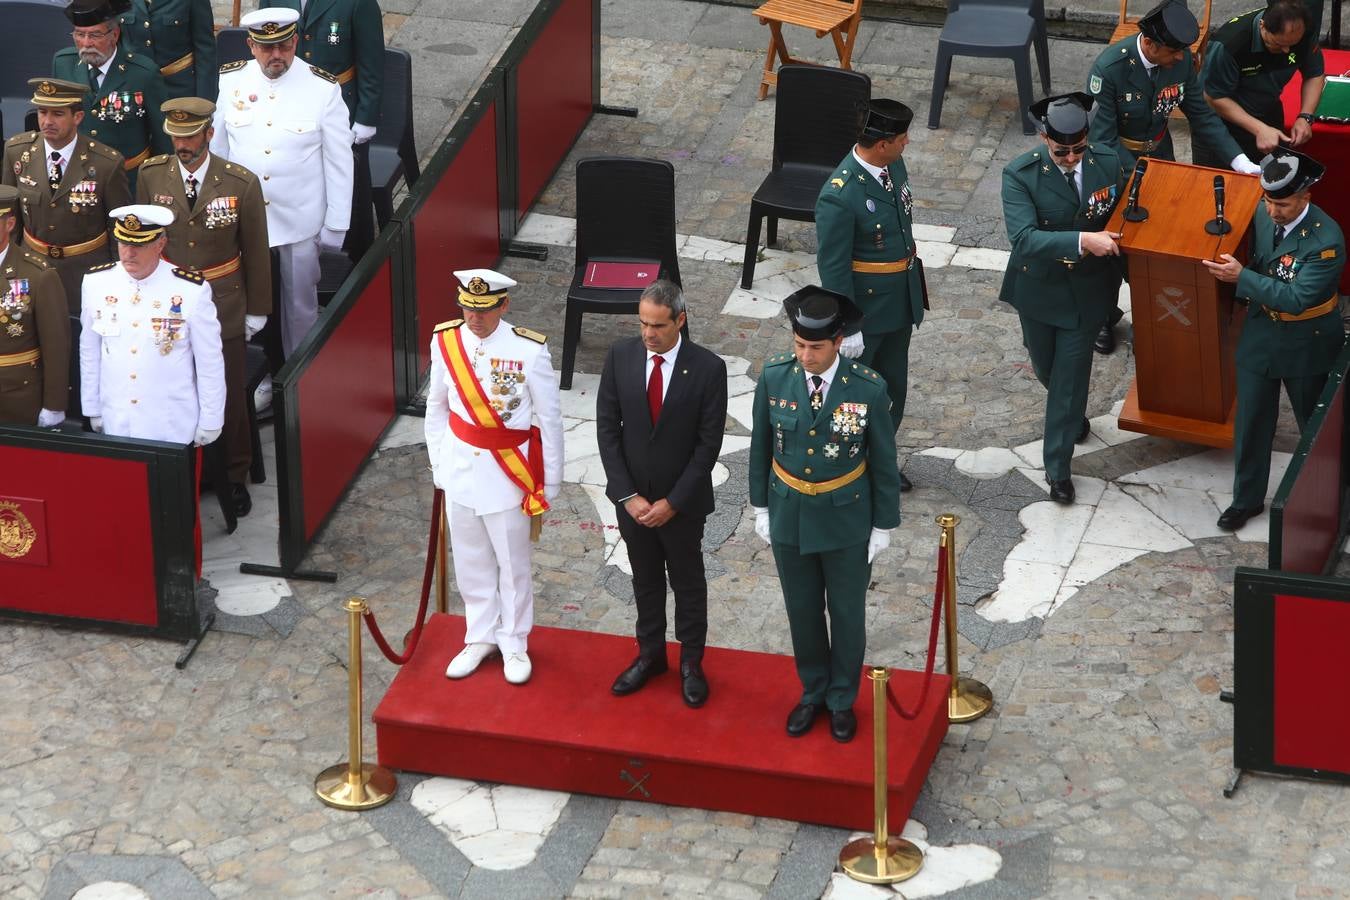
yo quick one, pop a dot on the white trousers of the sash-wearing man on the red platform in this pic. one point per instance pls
(493, 574)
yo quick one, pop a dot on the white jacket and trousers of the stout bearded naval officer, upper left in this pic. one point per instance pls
(294, 134)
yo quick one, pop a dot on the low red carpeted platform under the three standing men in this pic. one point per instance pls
(566, 732)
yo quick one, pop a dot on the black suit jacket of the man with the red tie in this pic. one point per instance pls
(676, 459)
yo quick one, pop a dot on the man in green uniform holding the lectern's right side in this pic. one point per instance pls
(1293, 334)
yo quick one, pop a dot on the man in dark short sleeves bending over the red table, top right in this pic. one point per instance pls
(1248, 63)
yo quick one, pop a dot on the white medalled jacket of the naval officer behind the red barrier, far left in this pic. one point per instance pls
(151, 362)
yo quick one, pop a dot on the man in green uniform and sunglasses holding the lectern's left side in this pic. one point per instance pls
(1063, 276)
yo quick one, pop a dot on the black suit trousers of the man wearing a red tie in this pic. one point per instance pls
(673, 551)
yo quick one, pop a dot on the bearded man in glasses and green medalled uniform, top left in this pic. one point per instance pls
(126, 90)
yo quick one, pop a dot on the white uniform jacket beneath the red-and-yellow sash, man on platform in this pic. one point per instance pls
(529, 395)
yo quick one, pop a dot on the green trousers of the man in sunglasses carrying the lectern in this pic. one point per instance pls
(1062, 360)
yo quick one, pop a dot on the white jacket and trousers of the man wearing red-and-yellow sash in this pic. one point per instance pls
(489, 534)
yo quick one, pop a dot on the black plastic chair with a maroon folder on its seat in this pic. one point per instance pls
(626, 210)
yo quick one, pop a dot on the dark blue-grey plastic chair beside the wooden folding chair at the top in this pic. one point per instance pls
(993, 29)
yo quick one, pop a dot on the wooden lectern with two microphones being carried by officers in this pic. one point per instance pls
(1186, 322)
